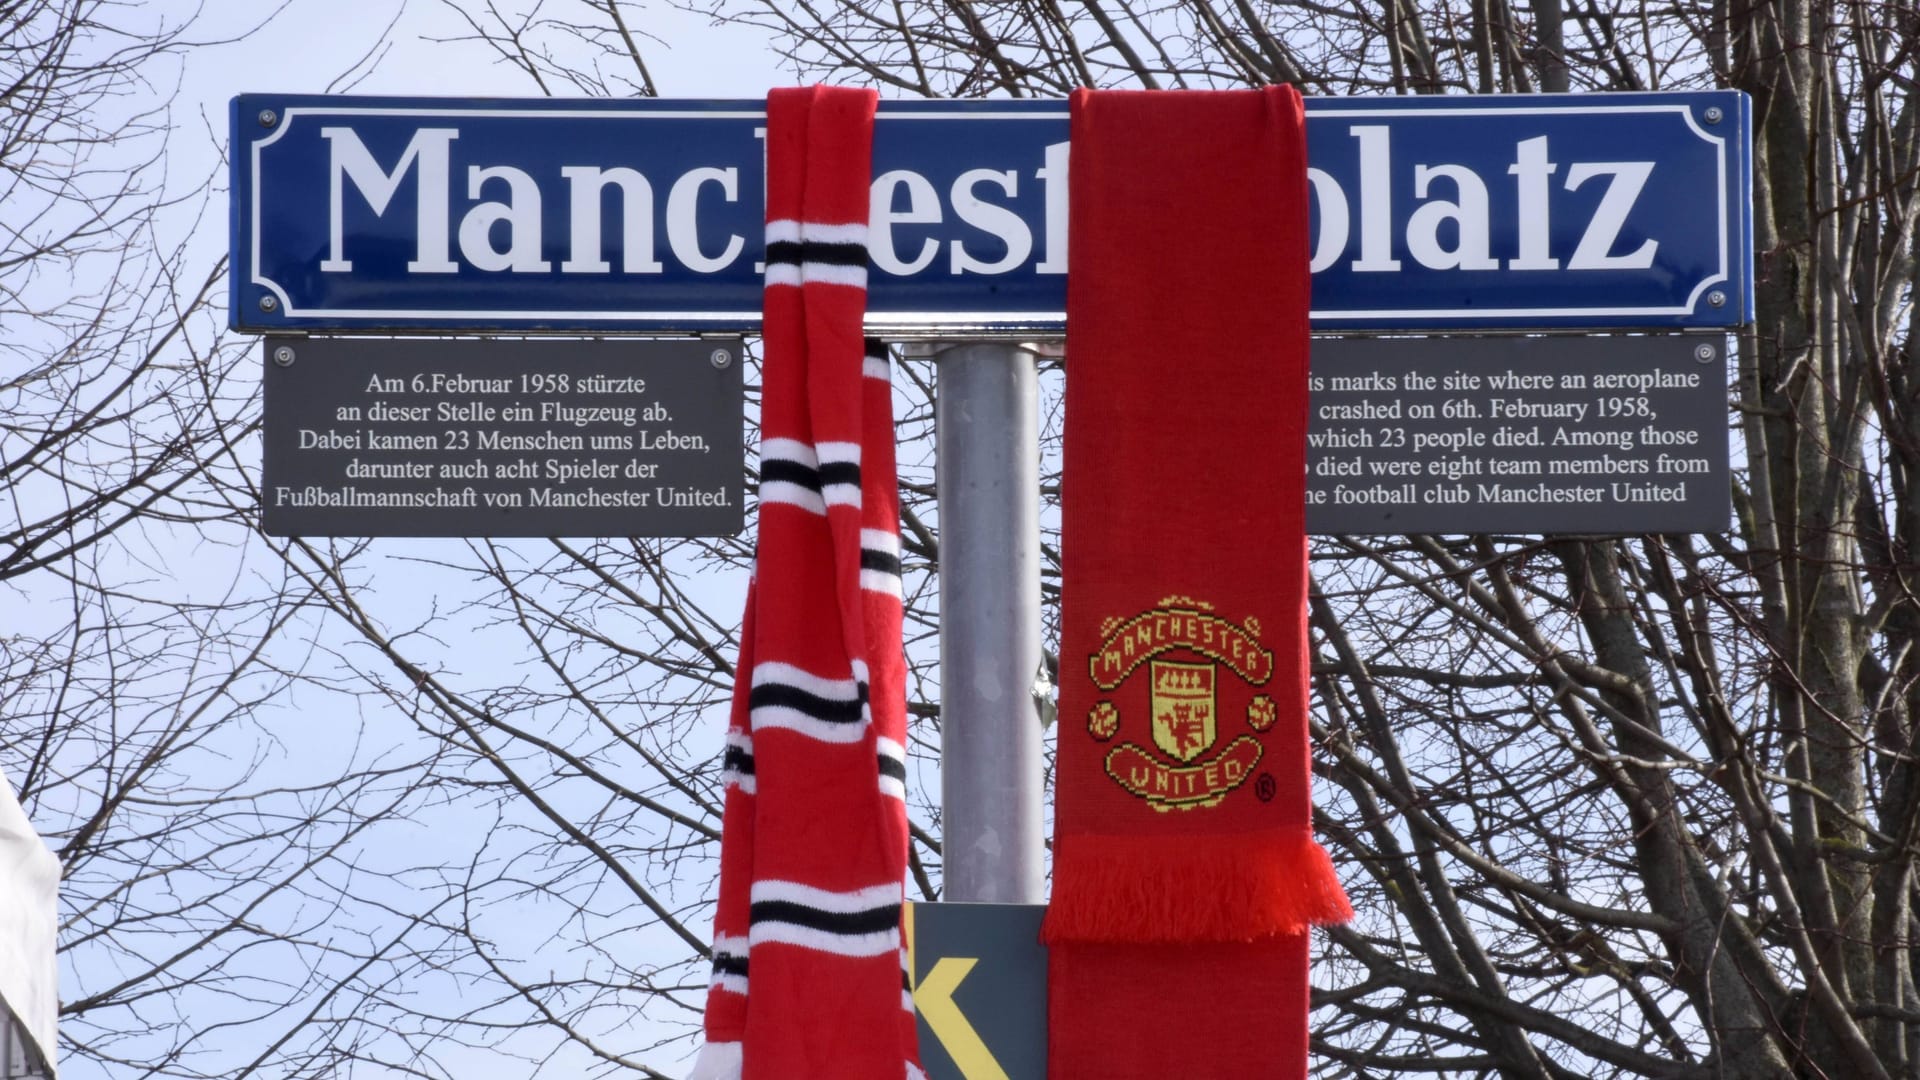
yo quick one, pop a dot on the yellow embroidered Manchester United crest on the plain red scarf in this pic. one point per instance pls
(1189, 770)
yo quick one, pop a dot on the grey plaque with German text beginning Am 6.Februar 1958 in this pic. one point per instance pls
(504, 437)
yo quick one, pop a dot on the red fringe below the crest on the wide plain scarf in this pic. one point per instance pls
(1191, 889)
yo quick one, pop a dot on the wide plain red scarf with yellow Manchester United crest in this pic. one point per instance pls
(1186, 871)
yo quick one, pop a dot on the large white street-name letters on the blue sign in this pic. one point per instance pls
(911, 220)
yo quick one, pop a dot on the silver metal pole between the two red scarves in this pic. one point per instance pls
(990, 474)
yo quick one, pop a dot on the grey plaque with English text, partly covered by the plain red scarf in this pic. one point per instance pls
(1518, 435)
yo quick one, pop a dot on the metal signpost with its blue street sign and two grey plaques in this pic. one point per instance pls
(644, 218)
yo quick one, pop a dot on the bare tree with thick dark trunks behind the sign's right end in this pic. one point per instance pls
(1610, 806)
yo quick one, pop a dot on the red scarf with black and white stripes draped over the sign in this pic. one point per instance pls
(807, 960)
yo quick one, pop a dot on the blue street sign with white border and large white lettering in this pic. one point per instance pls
(1458, 212)
